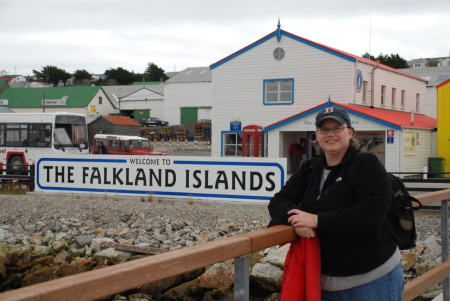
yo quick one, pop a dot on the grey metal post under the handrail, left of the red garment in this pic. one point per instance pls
(241, 278)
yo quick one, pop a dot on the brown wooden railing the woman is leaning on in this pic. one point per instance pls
(101, 283)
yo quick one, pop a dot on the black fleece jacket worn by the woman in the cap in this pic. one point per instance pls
(351, 210)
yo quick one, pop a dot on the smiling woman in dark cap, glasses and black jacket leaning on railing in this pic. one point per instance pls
(344, 195)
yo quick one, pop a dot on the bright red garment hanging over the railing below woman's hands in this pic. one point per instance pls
(301, 273)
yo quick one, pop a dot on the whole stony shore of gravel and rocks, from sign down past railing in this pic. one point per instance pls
(43, 237)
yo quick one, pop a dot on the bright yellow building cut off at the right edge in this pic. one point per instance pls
(443, 122)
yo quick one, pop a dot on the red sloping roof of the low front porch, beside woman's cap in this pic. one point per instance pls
(397, 118)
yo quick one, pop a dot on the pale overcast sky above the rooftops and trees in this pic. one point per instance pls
(177, 34)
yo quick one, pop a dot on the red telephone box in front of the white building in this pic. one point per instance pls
(253, 141)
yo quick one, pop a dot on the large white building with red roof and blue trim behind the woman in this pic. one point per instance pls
(279, 82)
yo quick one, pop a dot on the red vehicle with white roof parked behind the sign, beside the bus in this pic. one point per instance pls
(125, 145)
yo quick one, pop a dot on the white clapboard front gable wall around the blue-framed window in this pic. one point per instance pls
(238, 84)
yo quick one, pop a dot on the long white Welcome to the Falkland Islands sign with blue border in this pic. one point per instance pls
(200, 177)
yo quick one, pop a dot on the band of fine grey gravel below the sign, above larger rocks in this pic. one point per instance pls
(24, 215)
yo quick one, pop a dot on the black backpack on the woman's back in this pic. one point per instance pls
(400, 219)
